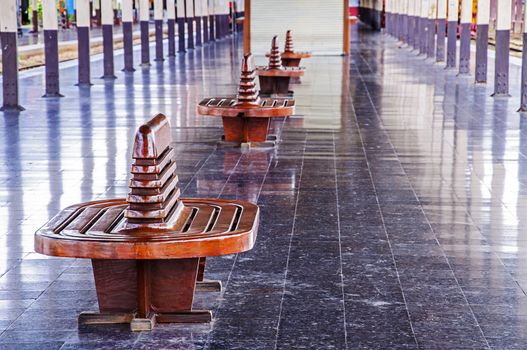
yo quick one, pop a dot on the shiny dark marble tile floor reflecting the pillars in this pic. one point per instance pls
(392, 212)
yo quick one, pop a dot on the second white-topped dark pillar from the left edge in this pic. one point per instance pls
(51, 48)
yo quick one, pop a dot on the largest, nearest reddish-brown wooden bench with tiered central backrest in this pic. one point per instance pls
(148, 250)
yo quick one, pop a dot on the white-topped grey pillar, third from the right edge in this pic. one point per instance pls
(482, 40)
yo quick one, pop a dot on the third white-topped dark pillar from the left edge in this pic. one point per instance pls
(83, 41)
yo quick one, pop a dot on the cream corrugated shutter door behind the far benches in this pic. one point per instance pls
(317, 25)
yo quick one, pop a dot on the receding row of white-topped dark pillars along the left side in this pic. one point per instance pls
(211, 24)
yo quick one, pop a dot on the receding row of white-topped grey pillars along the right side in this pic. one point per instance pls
(431, 27)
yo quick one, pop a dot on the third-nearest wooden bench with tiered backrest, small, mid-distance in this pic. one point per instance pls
(275, 78)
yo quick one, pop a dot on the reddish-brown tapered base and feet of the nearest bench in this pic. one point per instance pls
(145, 292)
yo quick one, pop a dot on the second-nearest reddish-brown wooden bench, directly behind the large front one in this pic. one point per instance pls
(246, 117)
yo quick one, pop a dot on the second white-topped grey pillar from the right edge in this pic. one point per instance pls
(501, 68)
